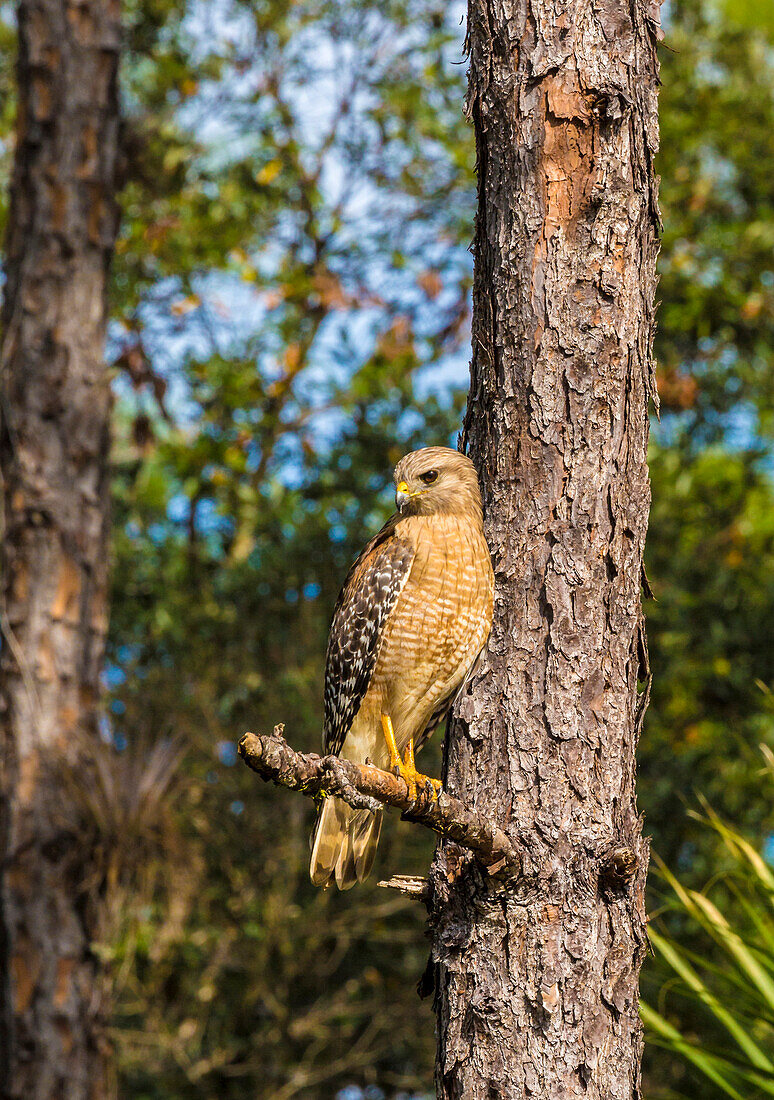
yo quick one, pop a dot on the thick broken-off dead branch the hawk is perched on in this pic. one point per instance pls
(366, 787)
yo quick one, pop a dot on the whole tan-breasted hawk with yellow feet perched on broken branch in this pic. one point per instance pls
(408, 628)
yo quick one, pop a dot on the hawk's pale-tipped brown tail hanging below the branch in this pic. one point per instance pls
(344, 845)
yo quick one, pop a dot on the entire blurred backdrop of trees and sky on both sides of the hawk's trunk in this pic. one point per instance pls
(291, 315)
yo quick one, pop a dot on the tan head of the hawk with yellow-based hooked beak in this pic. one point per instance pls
(435, 481)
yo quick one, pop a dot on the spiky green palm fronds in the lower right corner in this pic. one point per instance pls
(726, 976)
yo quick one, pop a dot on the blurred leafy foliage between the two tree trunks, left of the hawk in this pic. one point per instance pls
(272, 336)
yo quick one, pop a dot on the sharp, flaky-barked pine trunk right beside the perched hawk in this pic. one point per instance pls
(537, 986)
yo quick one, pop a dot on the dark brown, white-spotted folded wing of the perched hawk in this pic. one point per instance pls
(367, 600)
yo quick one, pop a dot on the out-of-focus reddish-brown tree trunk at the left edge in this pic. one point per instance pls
(54, 464)
